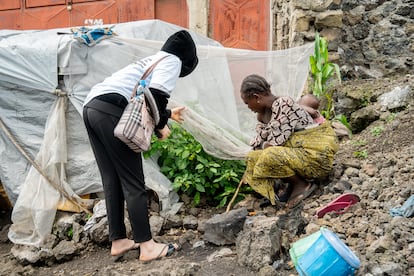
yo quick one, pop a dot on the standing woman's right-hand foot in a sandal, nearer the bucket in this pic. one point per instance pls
(151, 250)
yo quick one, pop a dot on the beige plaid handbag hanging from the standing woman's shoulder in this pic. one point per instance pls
(137, 123)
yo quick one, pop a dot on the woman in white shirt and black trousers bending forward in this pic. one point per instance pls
(120, 167)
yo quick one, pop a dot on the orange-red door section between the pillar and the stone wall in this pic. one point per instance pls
(240, 23)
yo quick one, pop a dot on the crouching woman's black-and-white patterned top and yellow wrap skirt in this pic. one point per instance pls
(299, 147)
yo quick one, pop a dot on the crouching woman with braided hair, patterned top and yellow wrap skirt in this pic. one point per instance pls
(288, 145)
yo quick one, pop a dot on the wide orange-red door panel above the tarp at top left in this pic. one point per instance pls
(48, 14)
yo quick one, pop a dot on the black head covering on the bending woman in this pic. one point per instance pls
(182, 45)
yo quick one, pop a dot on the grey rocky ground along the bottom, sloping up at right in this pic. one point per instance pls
(377, 164)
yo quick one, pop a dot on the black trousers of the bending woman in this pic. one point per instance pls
(121, 172)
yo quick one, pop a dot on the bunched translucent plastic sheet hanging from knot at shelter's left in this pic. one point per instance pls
(35, 208)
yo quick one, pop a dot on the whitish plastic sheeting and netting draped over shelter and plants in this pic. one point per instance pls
(32, 62)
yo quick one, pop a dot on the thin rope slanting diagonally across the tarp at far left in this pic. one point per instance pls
(39, 169)
